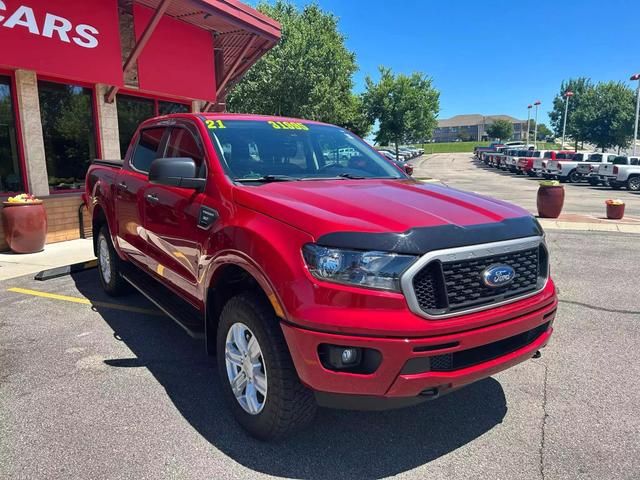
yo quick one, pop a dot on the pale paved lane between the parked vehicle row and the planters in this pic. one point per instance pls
(460, 170)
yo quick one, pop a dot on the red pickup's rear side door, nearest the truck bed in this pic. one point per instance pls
(130, 187)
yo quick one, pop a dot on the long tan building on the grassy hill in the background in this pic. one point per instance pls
(473, 128)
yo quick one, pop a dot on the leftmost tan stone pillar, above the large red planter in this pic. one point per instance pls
(31, 127)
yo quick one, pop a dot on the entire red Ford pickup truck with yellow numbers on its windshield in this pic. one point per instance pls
(317, 271)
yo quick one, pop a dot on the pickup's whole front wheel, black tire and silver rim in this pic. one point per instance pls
(258, 377)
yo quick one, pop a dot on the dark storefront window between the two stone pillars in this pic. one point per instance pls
(69, 133)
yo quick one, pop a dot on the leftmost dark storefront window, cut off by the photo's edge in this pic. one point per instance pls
(10, 174)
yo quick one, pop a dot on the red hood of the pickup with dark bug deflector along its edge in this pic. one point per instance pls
(398, 215)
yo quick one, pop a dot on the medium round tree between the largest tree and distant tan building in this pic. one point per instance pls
(405, 106)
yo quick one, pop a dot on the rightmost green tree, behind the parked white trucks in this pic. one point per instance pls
(606, 114)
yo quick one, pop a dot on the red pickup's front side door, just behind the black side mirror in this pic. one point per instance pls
(172, 215)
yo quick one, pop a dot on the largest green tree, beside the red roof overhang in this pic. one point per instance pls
(308, 74)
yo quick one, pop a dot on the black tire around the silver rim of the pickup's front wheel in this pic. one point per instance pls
(288, 405)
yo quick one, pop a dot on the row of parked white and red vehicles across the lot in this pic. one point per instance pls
(609, 169)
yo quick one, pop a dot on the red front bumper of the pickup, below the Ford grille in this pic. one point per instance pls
(391, 380)
